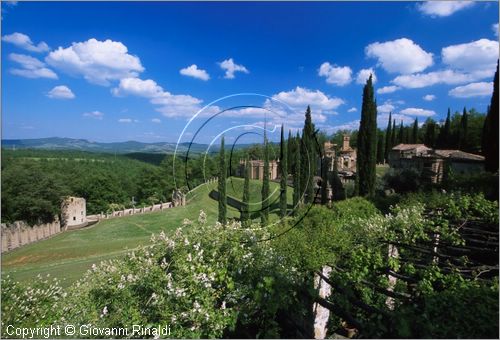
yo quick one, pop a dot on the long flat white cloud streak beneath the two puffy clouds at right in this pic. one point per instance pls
(449, 77)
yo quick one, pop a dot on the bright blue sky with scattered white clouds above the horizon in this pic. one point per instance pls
(121, 71)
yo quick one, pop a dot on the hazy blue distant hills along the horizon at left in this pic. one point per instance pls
(57, 143)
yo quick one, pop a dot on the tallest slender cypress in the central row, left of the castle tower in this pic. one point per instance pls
(308, 166)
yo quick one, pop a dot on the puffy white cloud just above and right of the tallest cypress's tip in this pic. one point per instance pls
(400, 56)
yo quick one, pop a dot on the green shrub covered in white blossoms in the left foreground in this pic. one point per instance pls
(204, 281)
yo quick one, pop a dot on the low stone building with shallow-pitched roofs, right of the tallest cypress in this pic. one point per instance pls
(434, 164)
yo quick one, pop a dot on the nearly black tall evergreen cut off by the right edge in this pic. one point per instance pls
(491, 130)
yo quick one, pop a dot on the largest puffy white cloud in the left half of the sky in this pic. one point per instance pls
(97, 61)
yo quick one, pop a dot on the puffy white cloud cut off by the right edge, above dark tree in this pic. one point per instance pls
(479, 55)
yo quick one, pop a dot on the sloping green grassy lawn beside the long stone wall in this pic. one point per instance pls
(69, 254)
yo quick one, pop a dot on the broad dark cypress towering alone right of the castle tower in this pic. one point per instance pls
(367, 143)
